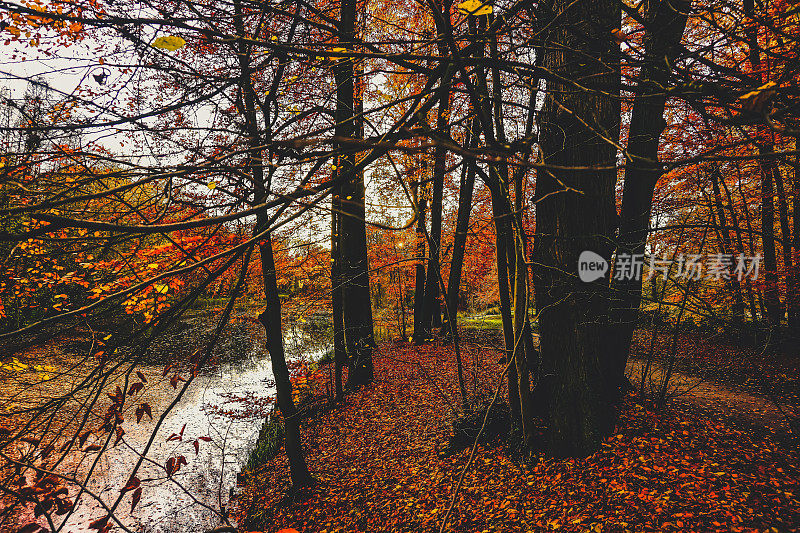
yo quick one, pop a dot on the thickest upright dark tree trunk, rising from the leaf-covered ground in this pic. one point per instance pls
(576, 212)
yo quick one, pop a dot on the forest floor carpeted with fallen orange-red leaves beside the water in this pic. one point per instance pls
(383, 464)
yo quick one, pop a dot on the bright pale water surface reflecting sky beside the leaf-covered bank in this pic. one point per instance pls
(224, 404)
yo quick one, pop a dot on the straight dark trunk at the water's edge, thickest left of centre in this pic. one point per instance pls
(356, 304)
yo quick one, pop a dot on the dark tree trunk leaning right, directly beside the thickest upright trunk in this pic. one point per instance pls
(665, 22)
